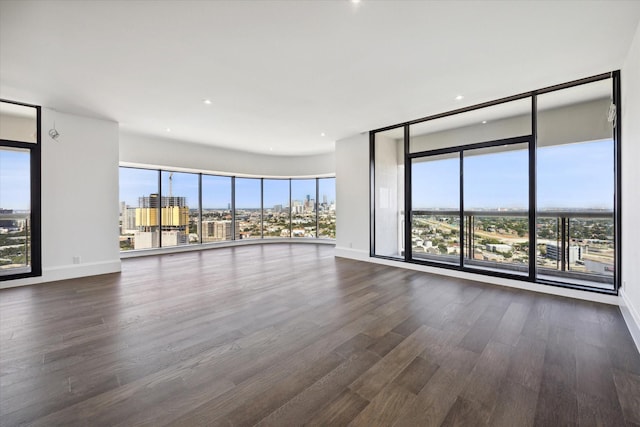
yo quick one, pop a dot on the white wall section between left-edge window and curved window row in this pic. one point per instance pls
(79, 198)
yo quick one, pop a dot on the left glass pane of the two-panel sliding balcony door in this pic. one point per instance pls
(435, 208)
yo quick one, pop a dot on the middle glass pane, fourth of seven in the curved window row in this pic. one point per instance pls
(248, 208)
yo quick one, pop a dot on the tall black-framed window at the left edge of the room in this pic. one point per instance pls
(19, 190)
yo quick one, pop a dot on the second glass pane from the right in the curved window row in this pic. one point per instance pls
(303, 208)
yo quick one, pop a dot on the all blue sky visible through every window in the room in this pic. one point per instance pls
(569, 176)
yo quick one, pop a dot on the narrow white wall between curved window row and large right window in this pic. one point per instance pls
(352, 197)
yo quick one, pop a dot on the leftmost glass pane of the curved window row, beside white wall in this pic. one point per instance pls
(139, 226)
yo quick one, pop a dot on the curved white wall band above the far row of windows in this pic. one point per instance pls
(145, 151)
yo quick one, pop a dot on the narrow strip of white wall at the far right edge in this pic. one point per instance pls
(630, 193)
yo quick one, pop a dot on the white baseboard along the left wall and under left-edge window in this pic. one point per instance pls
(63, 272)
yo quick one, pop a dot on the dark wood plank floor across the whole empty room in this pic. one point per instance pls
(286, 334)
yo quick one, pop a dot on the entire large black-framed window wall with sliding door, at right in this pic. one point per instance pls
(523, 187)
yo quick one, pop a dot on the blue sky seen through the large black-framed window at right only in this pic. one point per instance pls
(570, 176)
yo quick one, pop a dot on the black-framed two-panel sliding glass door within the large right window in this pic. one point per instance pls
(470, 206)
